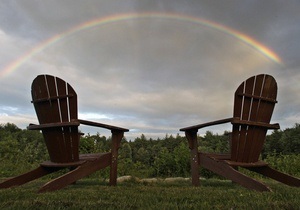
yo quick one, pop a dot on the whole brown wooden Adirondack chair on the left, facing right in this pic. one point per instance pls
(55, 103)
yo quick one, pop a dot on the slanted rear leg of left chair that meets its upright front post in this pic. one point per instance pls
(87, 168)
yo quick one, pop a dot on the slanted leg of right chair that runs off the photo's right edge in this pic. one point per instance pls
(277, 175)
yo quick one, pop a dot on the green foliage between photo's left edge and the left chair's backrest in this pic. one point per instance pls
(20, 150)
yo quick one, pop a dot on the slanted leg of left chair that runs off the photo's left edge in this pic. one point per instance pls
(27, 177)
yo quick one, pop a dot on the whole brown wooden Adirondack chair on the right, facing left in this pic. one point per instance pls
(254, 103)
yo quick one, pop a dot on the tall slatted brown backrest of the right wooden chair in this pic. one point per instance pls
(254, 103)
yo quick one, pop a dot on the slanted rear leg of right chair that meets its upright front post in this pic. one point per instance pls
(229, 172)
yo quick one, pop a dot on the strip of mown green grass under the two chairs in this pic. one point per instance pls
(94, 194)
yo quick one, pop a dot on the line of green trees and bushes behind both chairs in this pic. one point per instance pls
(21, 150)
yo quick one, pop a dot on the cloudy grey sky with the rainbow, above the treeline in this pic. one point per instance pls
(152, 66)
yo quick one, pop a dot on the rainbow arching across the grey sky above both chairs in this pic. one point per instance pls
(123, 17)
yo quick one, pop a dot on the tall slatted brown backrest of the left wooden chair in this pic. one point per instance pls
(55, 103)
